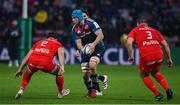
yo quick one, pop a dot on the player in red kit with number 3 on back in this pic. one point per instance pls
(149, 41)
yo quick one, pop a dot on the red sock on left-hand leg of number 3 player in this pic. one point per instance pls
(149, 83)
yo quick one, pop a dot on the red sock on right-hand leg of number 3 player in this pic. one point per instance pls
(162, 81)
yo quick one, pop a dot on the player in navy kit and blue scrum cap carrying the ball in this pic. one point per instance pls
(87, 31)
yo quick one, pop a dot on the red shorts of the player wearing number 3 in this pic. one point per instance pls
(151, 62)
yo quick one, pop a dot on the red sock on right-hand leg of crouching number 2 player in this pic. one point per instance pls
(60, 83)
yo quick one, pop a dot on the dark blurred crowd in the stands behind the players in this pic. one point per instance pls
(116, 17)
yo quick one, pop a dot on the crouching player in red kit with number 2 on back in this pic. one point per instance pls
(40, 57)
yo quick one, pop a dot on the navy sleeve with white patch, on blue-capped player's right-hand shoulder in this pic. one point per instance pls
(94, 25)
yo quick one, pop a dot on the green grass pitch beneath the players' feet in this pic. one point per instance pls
(125, 87)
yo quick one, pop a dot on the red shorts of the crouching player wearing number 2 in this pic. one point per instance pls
(48, 67)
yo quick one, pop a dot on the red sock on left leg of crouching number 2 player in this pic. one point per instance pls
(25, 80)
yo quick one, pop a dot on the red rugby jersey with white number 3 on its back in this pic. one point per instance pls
(147, 39)
